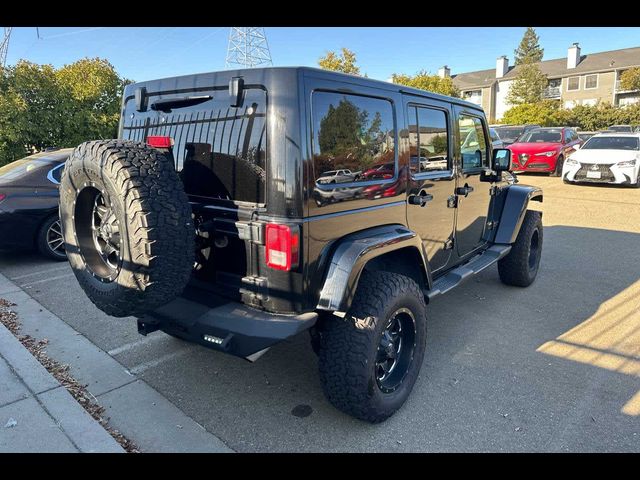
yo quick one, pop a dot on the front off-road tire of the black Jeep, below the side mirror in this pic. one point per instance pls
(520, 267)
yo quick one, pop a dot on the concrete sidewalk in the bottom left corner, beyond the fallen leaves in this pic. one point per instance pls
(37, 414)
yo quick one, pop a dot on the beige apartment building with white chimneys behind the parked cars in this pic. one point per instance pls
(575, 80)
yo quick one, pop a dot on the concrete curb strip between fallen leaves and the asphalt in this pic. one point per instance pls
(134, 408)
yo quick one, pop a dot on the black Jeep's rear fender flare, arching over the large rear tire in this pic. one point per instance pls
(351, 255)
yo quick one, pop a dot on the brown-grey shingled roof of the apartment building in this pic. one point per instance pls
(557, 68)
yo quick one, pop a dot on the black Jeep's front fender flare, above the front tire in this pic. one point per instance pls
(514, 208)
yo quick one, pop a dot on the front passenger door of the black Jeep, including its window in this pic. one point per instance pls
(473, 195)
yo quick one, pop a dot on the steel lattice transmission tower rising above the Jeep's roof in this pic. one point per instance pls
(248, 47)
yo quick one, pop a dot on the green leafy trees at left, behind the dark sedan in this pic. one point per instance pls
(41, 106)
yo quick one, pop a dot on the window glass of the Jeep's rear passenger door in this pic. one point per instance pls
(428, 140)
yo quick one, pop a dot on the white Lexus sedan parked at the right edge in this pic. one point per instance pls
(606, 158)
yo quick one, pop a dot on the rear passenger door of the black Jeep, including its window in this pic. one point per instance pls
(431, 179)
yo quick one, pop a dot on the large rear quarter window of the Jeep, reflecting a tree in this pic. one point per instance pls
(355, 133)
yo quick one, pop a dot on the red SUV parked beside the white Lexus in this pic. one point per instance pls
(544, 149)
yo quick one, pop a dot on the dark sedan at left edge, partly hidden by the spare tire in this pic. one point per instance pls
(29, 204)
